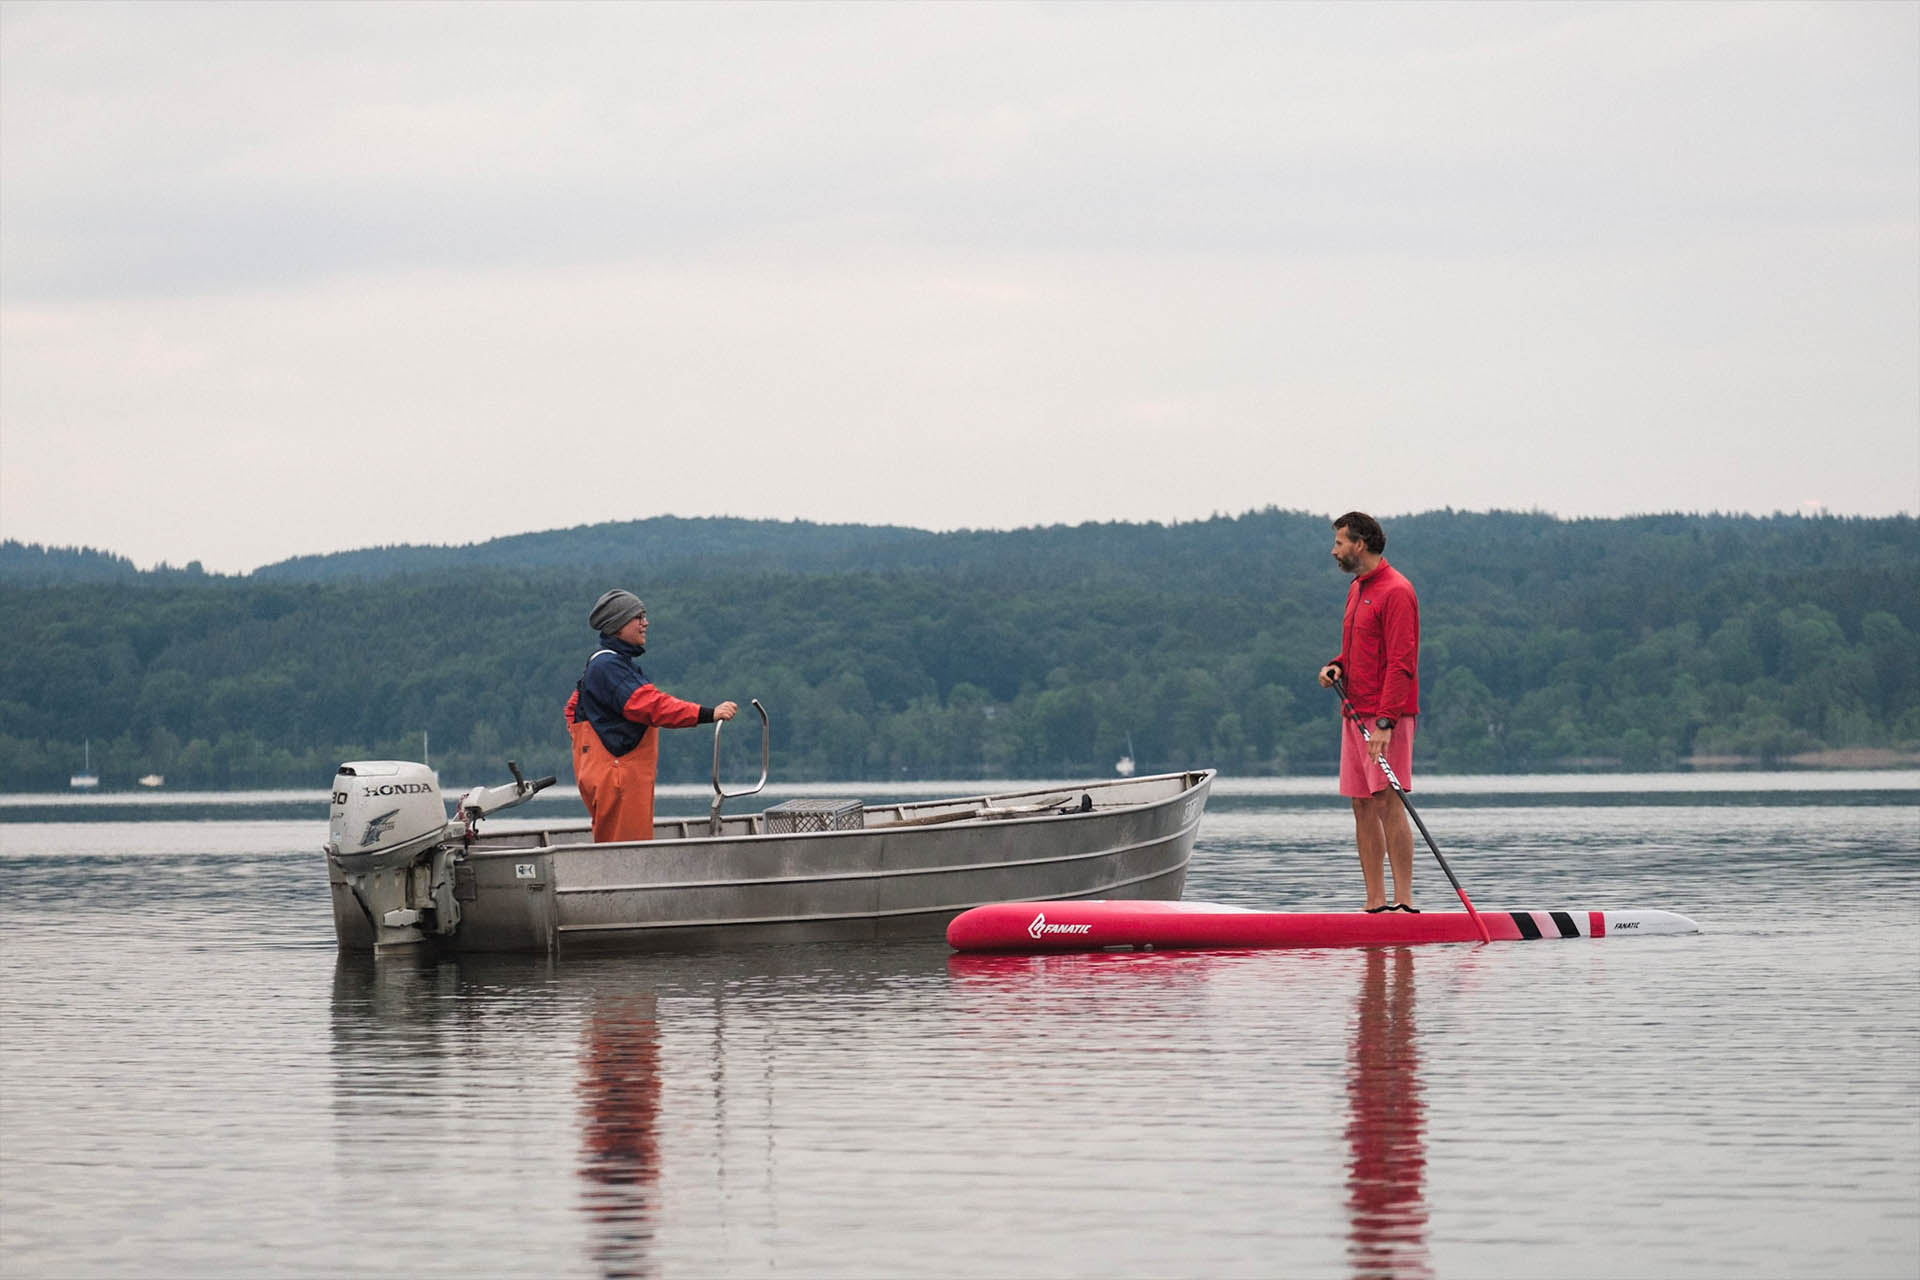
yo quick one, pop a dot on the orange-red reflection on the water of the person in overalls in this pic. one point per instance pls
(621, 1135)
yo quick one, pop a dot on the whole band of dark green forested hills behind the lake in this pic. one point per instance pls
(888, 652)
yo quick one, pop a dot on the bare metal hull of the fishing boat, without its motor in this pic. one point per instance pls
(903, 874)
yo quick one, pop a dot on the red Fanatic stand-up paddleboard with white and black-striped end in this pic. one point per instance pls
(1092, 926)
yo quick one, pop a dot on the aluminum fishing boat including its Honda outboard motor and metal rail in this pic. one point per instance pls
(406, 874)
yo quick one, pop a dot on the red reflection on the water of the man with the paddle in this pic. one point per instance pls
(1387, 1127)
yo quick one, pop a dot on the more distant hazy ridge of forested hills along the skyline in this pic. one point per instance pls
(1251, 552)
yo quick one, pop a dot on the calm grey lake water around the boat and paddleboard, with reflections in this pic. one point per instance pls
(193, 1081)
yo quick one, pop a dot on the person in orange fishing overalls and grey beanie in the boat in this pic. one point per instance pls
(613, 719)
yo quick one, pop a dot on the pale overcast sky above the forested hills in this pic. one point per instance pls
(285, 279)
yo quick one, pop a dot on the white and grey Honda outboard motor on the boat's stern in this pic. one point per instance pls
(393, 847)
